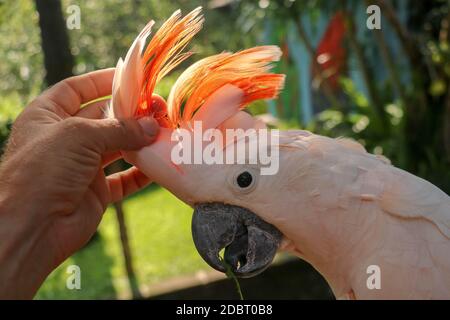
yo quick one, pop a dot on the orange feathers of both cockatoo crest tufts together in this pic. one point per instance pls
(248, 70)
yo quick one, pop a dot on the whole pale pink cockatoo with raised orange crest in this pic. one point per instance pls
(351, 214)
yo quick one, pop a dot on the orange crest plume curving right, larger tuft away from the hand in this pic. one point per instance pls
(248, 70)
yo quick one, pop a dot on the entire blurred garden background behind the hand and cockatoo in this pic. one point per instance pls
(389, 89)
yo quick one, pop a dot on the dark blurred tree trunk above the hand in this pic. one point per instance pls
(58, 59)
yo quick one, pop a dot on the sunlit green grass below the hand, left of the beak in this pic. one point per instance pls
(160, 237)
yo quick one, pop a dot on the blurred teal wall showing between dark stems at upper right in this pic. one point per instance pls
(299, 72)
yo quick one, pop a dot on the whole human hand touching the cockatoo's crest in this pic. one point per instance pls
(53, 189)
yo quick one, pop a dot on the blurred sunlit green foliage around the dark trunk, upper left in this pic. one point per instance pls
(107, 30)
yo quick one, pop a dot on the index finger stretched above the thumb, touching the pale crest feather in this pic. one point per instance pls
(72, 92)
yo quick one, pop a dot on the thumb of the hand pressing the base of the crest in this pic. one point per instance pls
(123, 134)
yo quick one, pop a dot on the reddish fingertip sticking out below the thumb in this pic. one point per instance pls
(127, 182)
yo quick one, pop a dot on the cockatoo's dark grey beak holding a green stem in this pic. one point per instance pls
(250, 243)
